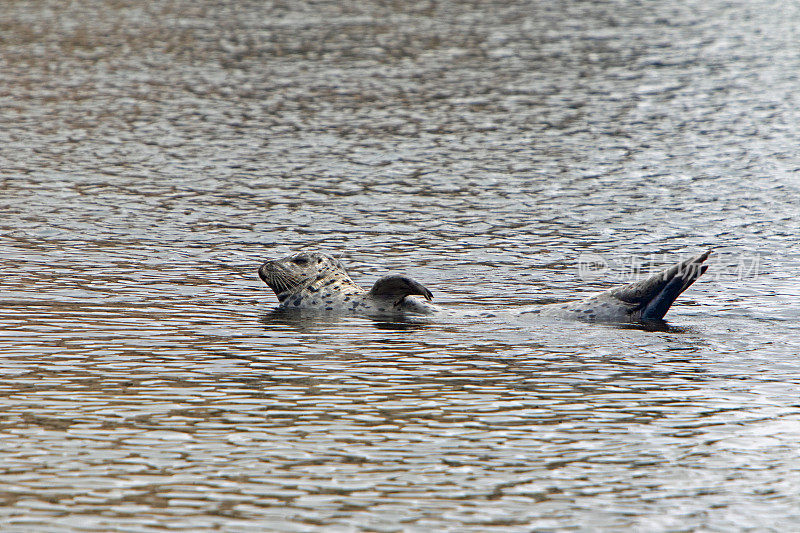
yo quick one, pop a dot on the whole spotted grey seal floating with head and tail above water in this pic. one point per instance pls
(318, 282)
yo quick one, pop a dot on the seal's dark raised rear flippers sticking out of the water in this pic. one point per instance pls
(651, 298)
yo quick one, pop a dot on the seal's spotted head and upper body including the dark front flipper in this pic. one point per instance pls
(319, 282)
